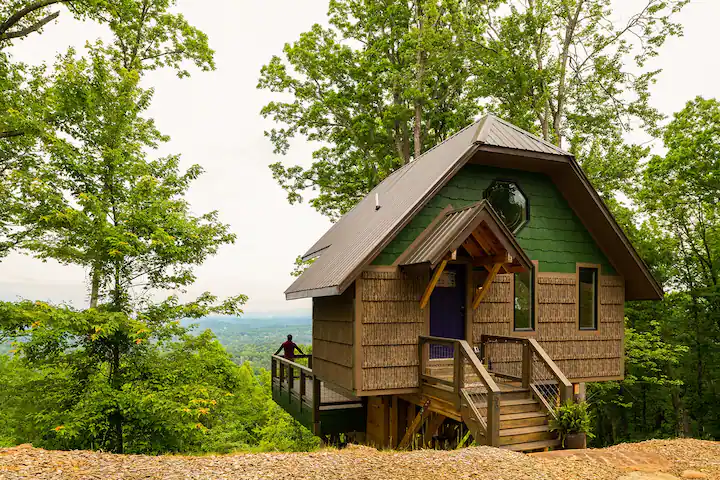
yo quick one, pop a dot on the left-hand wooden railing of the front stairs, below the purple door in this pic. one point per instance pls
(464, 383)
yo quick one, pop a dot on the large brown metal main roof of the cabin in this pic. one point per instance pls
(364, 231)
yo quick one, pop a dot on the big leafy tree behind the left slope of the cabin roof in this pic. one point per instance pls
(383, 83)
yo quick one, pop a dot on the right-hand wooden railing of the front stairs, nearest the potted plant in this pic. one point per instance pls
(536, 371)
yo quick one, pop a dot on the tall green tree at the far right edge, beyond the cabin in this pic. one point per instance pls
(679, 194)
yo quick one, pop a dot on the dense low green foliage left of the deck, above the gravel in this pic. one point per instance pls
(174, 391)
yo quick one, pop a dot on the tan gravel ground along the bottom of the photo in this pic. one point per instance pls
(673, 457)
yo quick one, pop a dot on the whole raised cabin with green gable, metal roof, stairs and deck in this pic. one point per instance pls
(466, 296)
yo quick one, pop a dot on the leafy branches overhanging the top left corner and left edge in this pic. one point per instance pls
(146, 36)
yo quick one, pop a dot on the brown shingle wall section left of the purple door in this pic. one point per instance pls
(392, 321)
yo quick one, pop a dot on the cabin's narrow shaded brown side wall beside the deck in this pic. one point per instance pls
(333, 338)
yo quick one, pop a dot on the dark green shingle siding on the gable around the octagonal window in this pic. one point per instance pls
(554, 236)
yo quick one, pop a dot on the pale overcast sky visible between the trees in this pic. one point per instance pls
(213, 119)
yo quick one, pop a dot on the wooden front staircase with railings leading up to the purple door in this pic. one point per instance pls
(499, 410)
